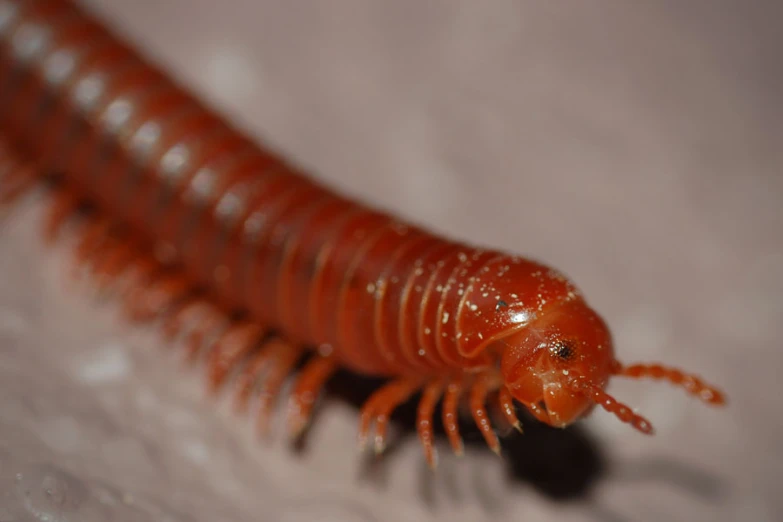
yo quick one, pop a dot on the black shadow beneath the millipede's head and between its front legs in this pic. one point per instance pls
(561, 464)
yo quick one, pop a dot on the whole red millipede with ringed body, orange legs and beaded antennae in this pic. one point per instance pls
(189, 221)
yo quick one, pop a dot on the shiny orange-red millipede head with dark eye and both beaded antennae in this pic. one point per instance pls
(560, 365)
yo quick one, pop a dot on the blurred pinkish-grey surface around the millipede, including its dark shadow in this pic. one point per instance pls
(634, 145)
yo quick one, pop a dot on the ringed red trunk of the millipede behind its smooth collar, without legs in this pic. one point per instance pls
(325, 270)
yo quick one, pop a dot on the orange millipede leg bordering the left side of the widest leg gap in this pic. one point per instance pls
(308, 387)
